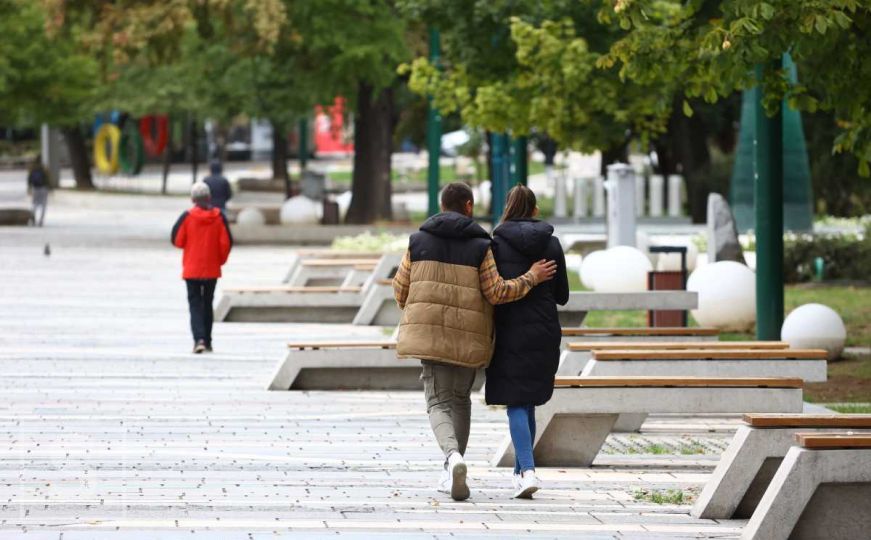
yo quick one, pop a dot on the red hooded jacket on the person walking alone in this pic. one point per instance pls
(205, 237)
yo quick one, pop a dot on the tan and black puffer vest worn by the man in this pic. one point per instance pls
(446, 318)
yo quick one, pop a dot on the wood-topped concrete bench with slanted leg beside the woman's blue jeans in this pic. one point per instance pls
(574, 424)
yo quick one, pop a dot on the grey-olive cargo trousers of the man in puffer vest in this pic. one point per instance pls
(447, 390)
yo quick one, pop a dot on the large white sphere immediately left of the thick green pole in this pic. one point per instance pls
(727, 295)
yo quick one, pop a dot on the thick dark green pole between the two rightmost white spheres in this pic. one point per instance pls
(768, 195)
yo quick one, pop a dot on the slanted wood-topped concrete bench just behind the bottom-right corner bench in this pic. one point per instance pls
(746, 468)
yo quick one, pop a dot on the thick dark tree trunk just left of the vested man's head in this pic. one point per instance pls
(373, 145)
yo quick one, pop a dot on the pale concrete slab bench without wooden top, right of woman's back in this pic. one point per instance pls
(580, 302)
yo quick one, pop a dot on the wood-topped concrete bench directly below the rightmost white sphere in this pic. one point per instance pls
(713, 359)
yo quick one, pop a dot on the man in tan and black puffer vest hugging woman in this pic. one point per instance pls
(447, 285)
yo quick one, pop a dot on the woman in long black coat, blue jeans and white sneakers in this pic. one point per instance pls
(528, 331)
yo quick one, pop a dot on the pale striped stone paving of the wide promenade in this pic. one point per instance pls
(109, 427)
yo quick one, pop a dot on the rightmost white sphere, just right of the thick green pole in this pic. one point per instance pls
(815, 326)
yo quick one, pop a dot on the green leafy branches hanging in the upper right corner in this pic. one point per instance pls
(713, 47)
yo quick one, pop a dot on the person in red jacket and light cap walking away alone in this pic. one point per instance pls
(204, 235)
